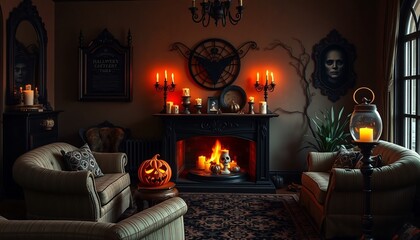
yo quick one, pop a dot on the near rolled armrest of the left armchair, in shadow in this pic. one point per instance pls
(53, 181)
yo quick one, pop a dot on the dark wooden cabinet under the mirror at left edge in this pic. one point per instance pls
(23, 131)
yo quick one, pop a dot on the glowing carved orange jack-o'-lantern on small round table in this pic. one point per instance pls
(154, 172)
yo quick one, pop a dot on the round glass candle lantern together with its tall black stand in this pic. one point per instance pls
(365, 129)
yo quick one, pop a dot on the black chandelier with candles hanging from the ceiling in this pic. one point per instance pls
(219, 10)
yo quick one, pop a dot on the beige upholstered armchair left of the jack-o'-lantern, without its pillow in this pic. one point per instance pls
(51, 191)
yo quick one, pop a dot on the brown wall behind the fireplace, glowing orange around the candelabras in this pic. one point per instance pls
(156, 24)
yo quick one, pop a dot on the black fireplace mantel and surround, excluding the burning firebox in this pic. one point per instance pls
(253, 127)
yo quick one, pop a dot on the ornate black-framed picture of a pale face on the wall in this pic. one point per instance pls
(334, 59)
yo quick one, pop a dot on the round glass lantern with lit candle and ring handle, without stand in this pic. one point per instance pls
(365, 122)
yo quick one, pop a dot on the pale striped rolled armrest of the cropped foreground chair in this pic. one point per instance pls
(165, 217)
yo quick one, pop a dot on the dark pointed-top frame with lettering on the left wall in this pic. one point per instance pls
(105, 69)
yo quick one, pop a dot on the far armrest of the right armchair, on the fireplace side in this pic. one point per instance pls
(320, 161)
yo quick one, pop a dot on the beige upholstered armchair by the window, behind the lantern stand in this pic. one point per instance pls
(334, 199)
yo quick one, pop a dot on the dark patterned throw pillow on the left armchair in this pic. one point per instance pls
(82, 159)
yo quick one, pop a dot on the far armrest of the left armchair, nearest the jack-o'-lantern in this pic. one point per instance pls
(111, 162)
